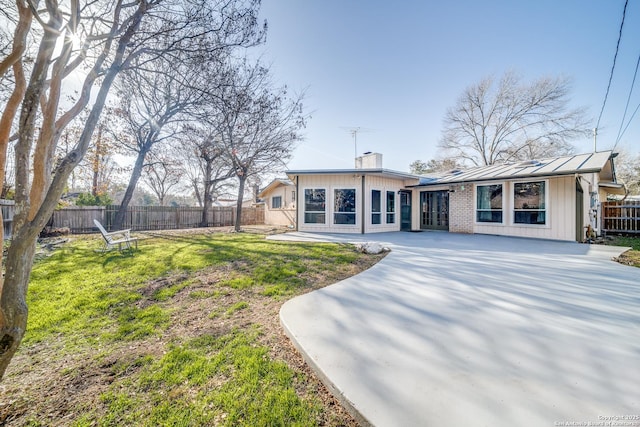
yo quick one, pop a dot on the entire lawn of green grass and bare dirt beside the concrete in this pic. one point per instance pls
(182, 332)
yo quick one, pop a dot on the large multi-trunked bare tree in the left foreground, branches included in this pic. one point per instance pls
(105, 37)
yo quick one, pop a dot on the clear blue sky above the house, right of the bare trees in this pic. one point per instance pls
(393, 68)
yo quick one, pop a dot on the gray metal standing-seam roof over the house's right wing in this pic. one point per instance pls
(567, 165)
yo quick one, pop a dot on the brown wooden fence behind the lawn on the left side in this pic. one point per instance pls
(79, 219)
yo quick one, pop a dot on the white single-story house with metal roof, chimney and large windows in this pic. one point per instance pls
(551, 199)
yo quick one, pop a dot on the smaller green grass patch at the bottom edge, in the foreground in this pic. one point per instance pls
(255, 390)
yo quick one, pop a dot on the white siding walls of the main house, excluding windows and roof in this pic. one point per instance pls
(560, 206)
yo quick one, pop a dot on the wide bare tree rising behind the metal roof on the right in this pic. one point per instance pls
(510, 120)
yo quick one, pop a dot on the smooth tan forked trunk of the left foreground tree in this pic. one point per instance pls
(19, 261)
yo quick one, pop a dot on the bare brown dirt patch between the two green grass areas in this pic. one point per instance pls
(45, 385)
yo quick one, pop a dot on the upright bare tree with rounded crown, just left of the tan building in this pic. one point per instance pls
(257, 124)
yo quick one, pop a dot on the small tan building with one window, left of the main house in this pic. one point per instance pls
(280, 203)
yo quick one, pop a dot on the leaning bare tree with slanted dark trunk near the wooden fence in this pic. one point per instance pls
(159, 99)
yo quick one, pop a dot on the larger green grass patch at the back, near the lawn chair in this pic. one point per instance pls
(77, 291)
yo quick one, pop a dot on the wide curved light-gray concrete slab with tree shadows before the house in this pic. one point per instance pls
(471, 330)
